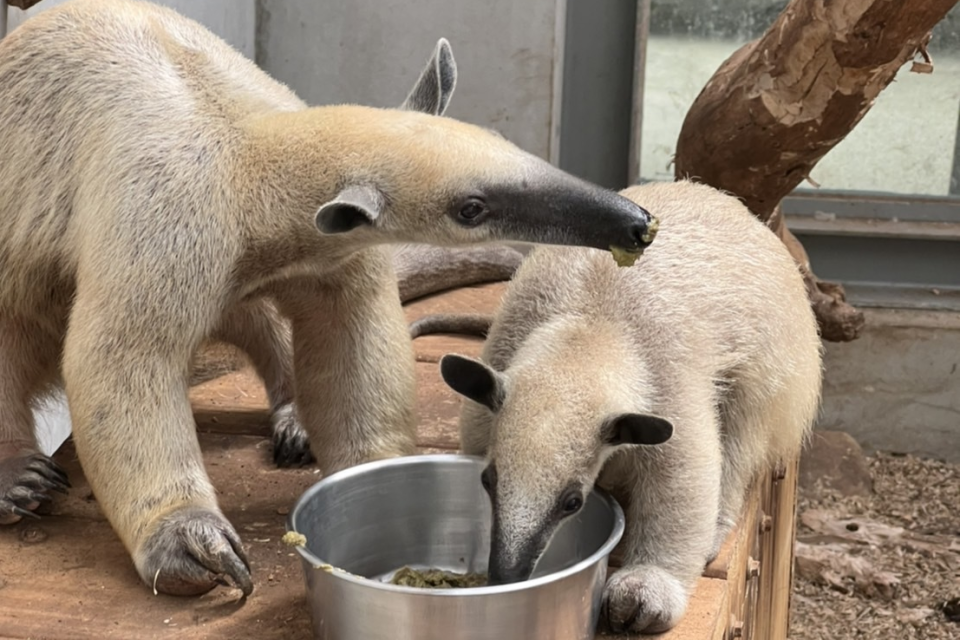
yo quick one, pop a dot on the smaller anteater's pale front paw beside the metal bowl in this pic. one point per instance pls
(644, 599)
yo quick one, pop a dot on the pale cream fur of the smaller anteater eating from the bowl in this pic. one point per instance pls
(711, 329)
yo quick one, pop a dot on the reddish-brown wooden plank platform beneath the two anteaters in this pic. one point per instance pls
(68, 577)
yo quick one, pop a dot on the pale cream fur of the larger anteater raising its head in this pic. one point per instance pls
(157, 190)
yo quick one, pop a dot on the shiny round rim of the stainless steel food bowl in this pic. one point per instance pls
(616, 534)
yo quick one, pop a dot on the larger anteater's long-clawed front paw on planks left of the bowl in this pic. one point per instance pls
(191, 552)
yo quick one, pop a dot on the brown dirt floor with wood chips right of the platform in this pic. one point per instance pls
(881, 563)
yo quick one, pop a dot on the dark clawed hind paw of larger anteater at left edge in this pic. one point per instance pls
(25, 483)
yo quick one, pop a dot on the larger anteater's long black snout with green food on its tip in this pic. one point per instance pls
(564, 210)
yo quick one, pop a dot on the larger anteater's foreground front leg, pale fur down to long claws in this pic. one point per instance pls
(126, 360)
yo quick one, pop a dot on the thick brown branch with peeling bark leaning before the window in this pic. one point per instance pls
(780, 103)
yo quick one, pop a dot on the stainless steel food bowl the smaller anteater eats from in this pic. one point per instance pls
(430, 511)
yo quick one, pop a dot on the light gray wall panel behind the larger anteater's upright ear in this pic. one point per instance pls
(370, 52)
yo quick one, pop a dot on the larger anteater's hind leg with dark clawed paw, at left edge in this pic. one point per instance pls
(28, 360)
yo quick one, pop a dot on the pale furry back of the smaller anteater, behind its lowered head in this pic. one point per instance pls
(716, 298)
